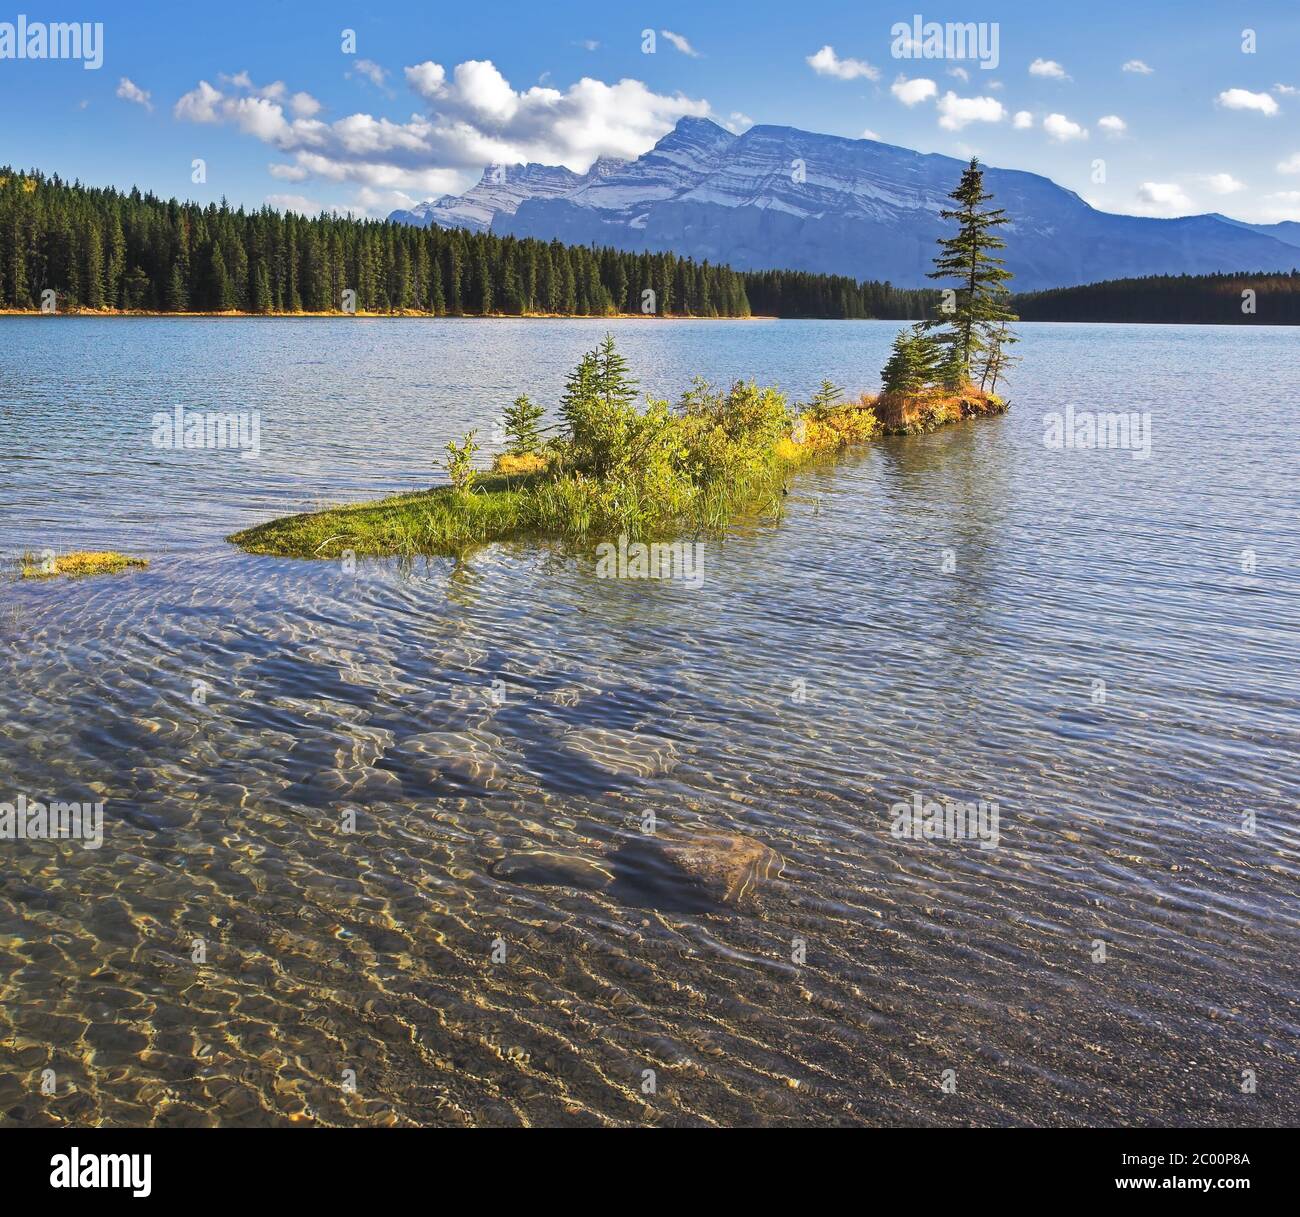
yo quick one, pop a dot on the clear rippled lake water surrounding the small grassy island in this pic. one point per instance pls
(372, 691)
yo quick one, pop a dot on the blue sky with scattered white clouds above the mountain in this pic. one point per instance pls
(267, 97)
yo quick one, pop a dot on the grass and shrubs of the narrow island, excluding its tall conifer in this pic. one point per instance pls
(618, 470)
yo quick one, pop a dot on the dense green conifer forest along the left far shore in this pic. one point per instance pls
(105, 249)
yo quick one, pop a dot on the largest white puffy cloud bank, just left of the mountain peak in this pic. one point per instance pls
(473, 118)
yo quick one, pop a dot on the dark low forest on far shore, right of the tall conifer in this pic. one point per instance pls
(1216, 300)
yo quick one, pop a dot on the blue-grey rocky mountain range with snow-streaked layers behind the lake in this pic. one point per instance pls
(778, 198)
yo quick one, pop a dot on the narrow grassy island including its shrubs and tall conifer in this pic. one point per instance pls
(610, 469)
